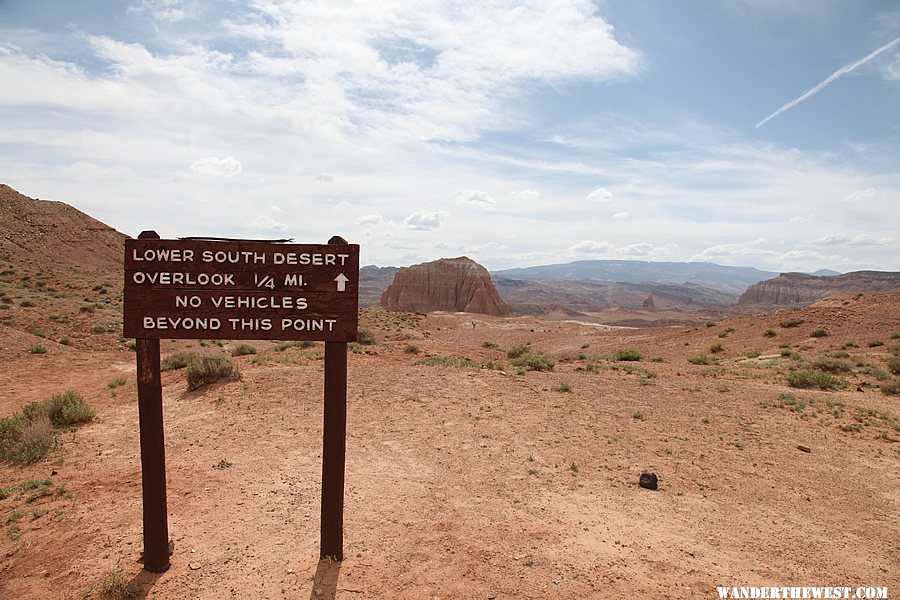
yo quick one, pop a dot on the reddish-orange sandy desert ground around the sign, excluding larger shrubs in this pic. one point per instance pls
(479, 478)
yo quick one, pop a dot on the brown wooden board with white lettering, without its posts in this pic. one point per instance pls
(204, 289)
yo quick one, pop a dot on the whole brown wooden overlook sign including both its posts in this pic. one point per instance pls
(239, 289)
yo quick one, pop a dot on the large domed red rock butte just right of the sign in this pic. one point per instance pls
(451, 284)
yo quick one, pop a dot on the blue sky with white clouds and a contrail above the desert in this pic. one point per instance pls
(762, 133)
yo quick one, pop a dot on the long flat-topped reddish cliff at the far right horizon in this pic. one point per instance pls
(797, 288)
